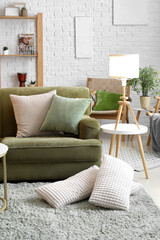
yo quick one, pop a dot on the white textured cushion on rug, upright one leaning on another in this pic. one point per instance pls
(113, 184)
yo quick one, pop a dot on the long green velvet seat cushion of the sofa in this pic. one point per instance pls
(52, 149)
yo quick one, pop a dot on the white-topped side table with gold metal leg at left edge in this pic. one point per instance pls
(3, 152)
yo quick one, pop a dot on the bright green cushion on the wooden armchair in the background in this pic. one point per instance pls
(107, 101)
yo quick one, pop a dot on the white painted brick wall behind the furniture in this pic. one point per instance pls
(60, 65)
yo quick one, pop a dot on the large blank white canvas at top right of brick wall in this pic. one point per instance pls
(130, 12)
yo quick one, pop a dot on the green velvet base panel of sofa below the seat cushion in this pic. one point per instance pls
(44, 171)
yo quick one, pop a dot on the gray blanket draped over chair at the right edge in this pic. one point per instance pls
(155, 133)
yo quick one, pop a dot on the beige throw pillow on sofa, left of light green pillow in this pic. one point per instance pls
(30, 112)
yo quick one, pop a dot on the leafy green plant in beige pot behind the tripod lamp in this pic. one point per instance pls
(148, 82)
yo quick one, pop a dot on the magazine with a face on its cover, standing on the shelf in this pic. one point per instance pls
(26, 44)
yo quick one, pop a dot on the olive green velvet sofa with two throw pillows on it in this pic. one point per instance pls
(48, 158)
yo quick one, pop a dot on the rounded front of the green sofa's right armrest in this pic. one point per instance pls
(89, 128)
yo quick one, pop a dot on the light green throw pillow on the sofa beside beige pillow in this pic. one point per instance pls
(65, 114)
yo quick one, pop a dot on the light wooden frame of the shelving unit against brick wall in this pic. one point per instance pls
(39, 54)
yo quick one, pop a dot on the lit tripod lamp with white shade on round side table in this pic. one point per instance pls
(124, 67)
